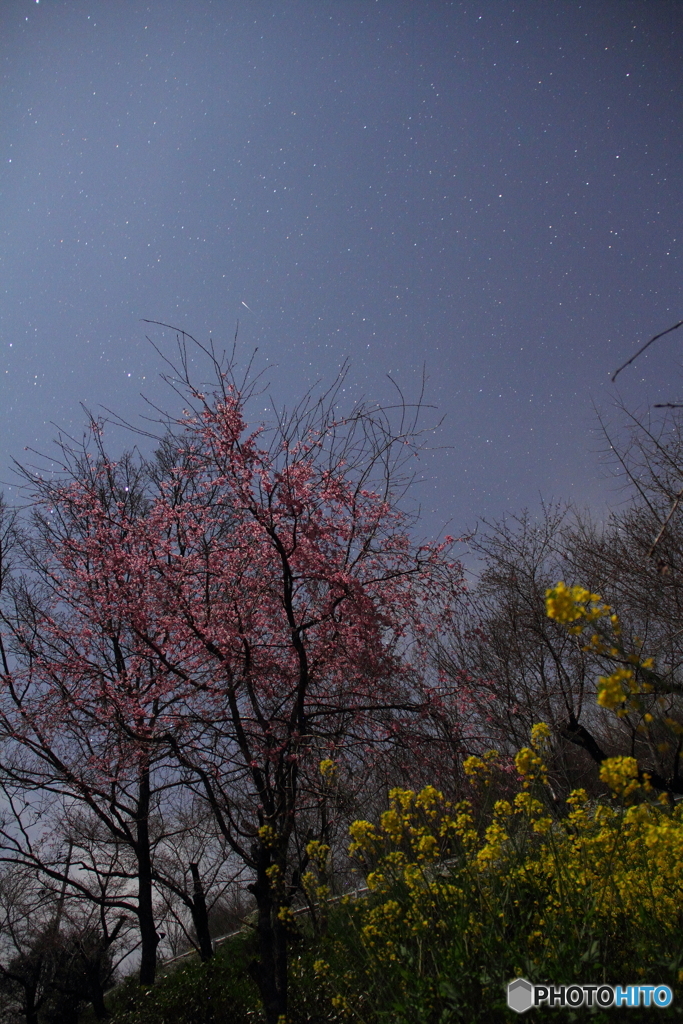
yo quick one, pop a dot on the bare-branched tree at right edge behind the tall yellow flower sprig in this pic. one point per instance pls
(634, 563)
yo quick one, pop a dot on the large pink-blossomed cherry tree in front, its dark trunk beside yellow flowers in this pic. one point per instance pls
(255, 594)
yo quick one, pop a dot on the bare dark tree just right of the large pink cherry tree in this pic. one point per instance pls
(513, 665)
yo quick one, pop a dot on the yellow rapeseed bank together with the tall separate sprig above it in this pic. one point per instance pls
(466, 895)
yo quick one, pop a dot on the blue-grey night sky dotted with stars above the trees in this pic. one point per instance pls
(493, 191)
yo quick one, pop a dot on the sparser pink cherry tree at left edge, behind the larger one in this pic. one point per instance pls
(82, 701)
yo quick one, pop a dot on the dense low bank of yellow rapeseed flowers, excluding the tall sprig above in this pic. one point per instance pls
(591, 894)
